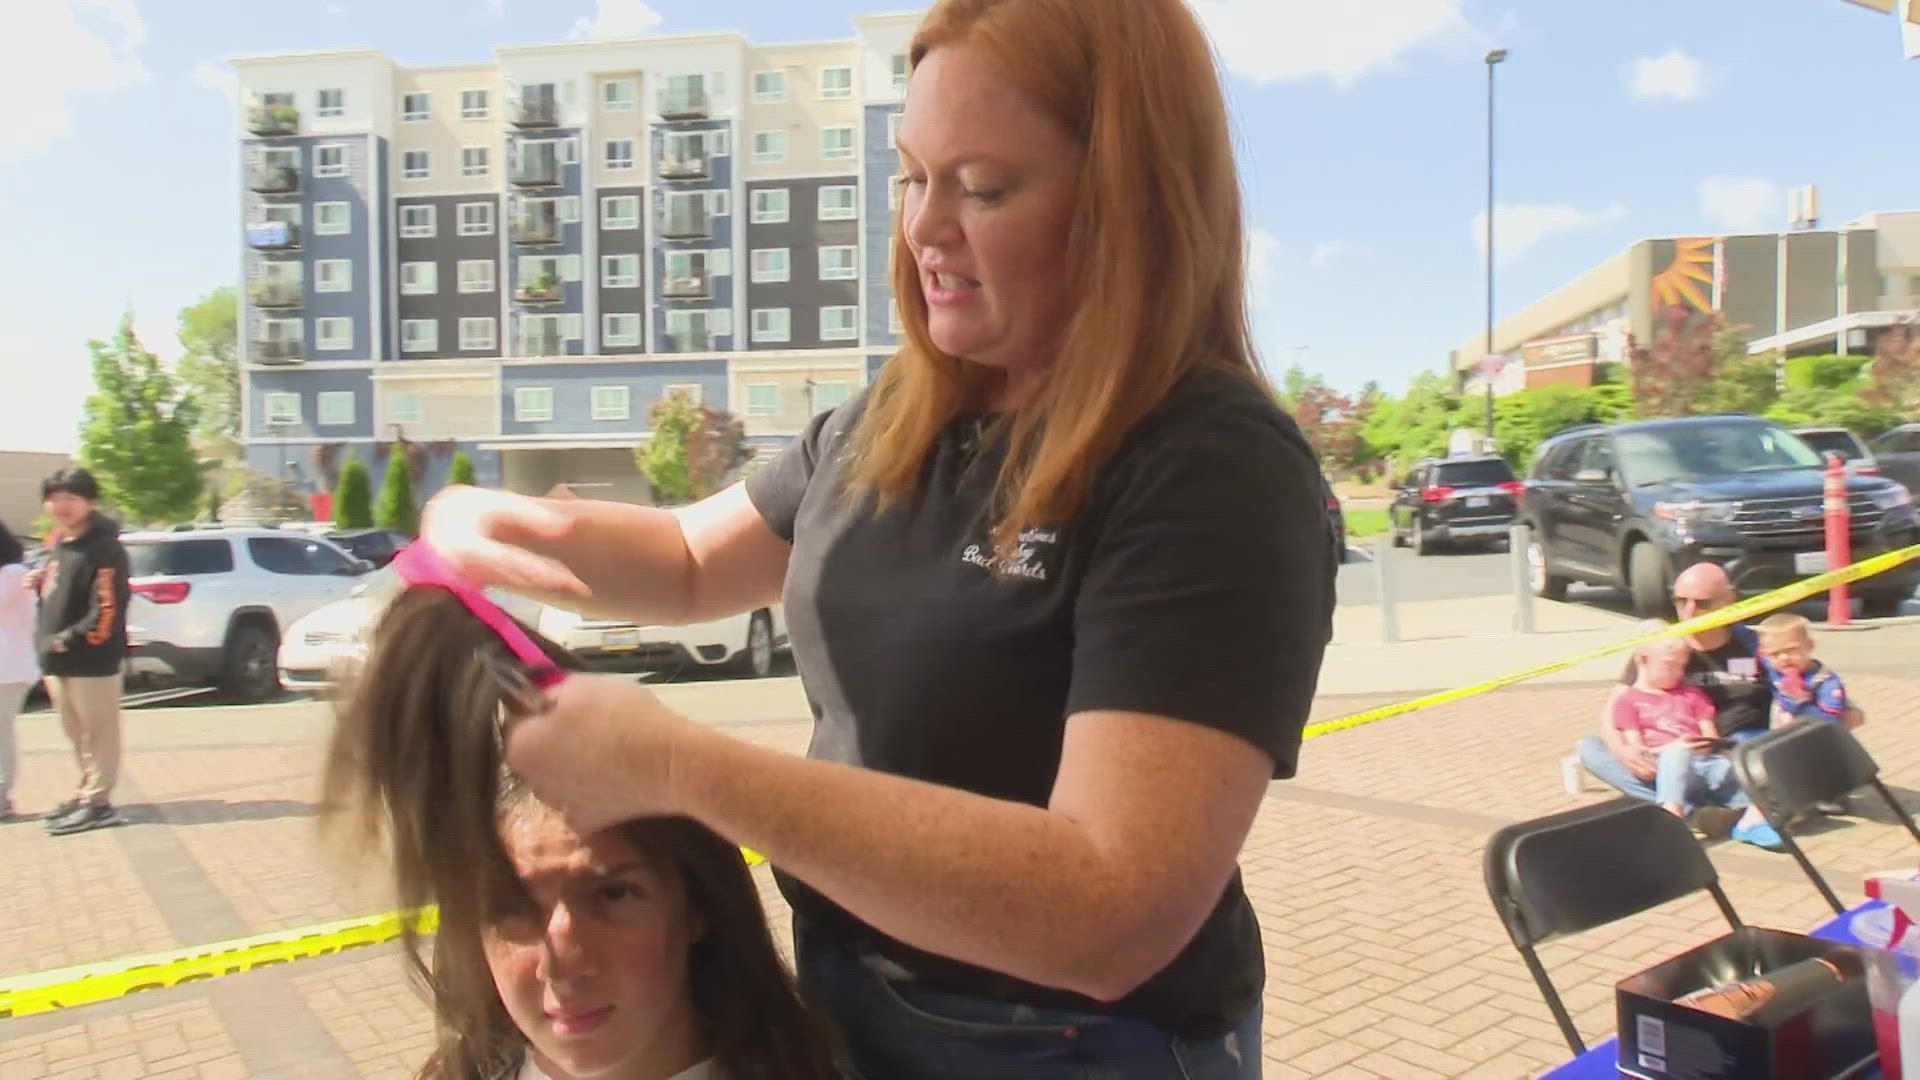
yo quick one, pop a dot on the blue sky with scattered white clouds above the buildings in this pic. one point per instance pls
(1362, 135)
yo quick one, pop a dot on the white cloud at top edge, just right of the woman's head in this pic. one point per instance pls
(1295, 39)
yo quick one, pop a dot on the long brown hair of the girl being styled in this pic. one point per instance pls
(416, 766)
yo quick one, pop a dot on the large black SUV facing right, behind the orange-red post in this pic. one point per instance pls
(1631, 504)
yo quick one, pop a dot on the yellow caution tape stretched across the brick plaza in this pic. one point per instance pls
(87, 985)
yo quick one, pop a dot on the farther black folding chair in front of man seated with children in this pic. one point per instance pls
(1790, 770)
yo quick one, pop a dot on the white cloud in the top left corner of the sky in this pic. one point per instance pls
(55, 49)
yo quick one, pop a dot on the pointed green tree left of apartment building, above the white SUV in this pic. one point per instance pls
(137, 433)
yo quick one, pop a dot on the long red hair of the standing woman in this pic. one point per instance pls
(1155, 253)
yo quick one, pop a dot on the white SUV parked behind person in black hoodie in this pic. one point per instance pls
(210, 604)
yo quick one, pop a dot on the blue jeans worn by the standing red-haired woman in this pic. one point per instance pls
(900, 1031)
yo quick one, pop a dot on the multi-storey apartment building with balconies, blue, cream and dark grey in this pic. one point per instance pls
(521, 258)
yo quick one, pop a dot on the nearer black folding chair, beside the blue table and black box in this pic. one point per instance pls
(1587, 868)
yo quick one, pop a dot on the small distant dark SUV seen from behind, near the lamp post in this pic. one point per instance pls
(1454, 501)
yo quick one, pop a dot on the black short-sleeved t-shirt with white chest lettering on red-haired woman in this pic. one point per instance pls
(1195, 585)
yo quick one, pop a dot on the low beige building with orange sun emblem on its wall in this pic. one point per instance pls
(1794, 293)
